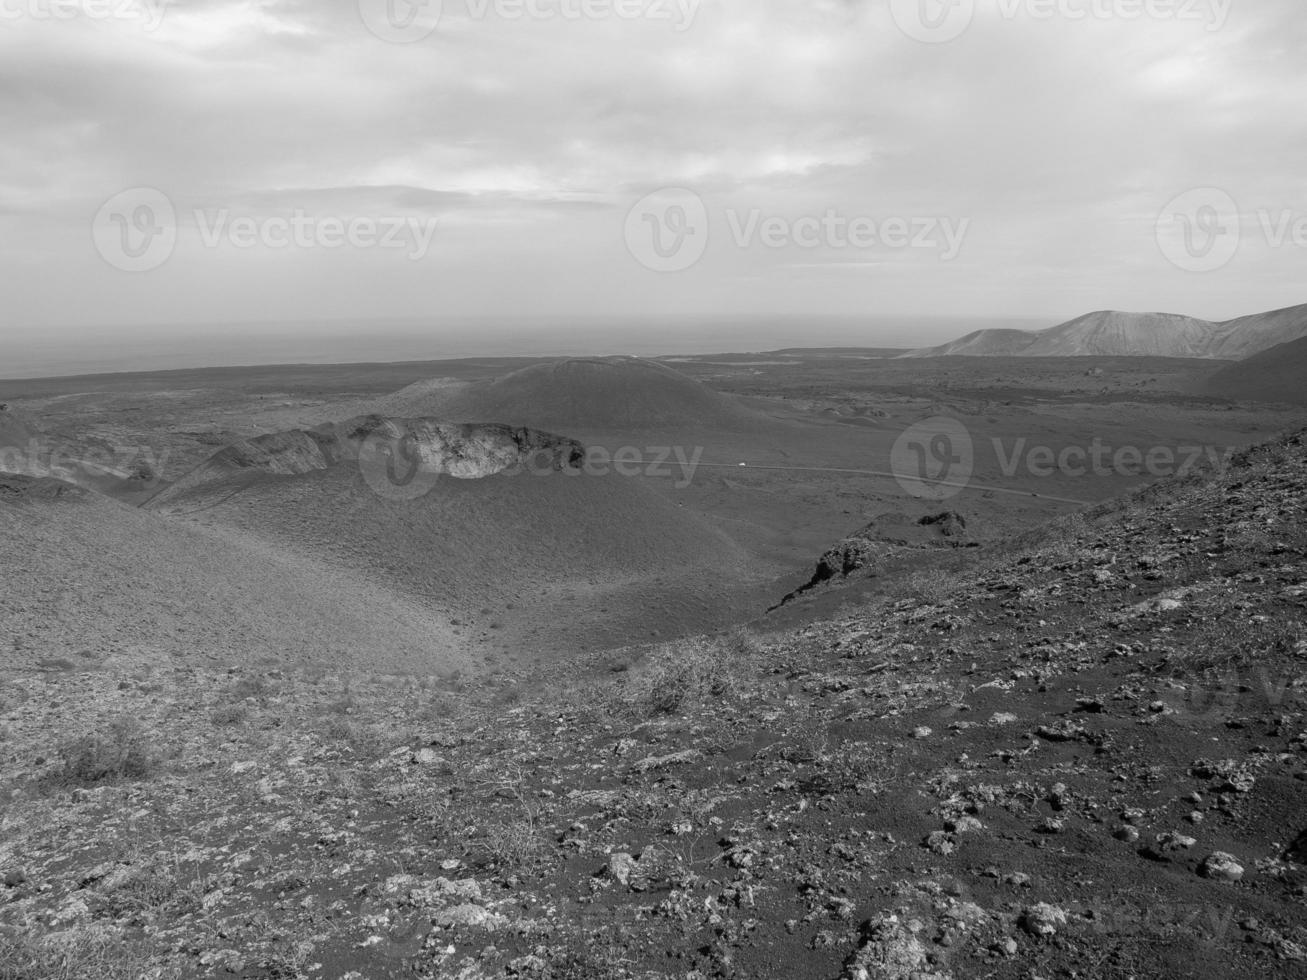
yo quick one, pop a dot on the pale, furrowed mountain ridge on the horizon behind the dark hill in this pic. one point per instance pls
(1109, 334)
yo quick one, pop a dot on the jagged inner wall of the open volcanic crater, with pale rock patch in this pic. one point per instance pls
(462, 451)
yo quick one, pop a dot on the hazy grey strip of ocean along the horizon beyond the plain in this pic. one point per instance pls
(49, 353)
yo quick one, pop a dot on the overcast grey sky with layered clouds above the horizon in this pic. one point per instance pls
(171, 167)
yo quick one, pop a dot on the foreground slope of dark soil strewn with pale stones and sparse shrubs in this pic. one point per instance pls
(1083, 756)
